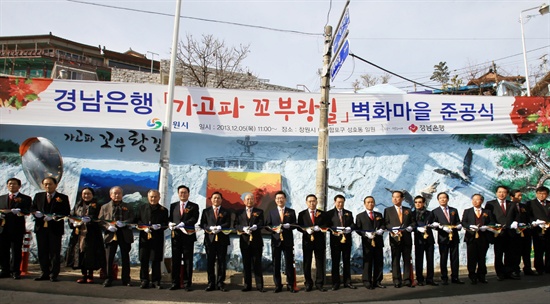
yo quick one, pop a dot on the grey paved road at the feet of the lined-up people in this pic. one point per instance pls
(530, 289)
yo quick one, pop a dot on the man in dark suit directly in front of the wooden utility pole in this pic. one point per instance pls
(311, 221)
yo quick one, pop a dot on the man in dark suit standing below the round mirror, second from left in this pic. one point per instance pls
(47, 207)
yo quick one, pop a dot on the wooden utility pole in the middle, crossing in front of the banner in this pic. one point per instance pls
(322, 144)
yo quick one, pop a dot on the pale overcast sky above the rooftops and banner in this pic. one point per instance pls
(407, 37)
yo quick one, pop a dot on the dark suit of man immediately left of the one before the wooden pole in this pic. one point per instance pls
(286, 245)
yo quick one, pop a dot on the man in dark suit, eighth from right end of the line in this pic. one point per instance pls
(370, 226)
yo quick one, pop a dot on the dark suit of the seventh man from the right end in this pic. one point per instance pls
(401, 247)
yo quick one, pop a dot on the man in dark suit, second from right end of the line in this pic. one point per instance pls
(525, 240)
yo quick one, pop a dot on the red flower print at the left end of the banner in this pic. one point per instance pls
(17, 92)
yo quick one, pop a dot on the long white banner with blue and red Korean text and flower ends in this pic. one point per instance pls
(69, 103)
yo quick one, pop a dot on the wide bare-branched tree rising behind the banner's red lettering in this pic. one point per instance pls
(211, 63)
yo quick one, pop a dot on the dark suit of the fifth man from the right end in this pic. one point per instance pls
(447, 247)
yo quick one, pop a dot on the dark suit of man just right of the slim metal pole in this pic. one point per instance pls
(183, 244)
